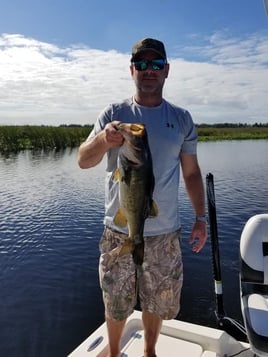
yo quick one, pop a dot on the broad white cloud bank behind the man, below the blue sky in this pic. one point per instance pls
(42, 83)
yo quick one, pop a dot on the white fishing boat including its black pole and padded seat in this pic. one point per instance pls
(179, 338)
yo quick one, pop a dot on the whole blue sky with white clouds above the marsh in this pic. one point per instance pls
(63, 61)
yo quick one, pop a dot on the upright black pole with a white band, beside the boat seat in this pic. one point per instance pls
(215, 247)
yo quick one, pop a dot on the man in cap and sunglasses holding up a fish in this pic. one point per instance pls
(172, 139)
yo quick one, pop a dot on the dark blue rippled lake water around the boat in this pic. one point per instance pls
(50, 223)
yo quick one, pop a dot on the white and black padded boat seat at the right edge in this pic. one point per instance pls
(254, 282)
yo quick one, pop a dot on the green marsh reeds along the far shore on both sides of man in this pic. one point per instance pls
(16, 138)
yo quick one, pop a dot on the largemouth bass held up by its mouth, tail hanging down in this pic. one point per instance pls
(136, 186)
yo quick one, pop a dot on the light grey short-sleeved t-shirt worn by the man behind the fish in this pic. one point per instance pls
(171, 131)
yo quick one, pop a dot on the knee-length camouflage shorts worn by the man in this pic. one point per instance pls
(158, 281)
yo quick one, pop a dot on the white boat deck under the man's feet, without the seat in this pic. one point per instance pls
(177, 338)
